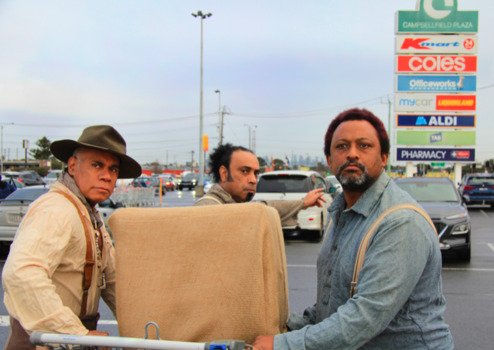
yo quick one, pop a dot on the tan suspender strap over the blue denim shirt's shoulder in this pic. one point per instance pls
(359, 262)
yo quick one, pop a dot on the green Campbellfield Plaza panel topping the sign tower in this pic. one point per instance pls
(437, 16)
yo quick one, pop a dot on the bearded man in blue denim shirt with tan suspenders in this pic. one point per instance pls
(398, 302)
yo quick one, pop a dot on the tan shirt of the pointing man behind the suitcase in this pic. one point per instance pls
(287, 210)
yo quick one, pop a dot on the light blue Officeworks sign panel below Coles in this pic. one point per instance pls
(436, 83)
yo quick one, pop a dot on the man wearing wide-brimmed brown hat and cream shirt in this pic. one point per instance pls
(62, 258)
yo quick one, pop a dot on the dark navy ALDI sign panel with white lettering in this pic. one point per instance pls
(447, 121)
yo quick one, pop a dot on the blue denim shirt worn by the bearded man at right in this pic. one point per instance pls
(399, 302)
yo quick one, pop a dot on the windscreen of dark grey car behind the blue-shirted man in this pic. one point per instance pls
(430, 191)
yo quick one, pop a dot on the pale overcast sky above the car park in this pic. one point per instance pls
(285, 68)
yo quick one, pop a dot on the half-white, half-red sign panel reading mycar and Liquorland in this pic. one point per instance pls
(430, 102)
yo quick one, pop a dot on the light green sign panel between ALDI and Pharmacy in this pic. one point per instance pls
(437, 138)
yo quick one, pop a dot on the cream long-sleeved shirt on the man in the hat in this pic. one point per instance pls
(42, 276)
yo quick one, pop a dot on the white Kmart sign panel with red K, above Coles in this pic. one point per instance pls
(456, 44)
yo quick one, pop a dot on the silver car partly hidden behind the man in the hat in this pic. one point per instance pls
(14, 207)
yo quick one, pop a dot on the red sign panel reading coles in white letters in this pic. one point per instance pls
(437, 64)
